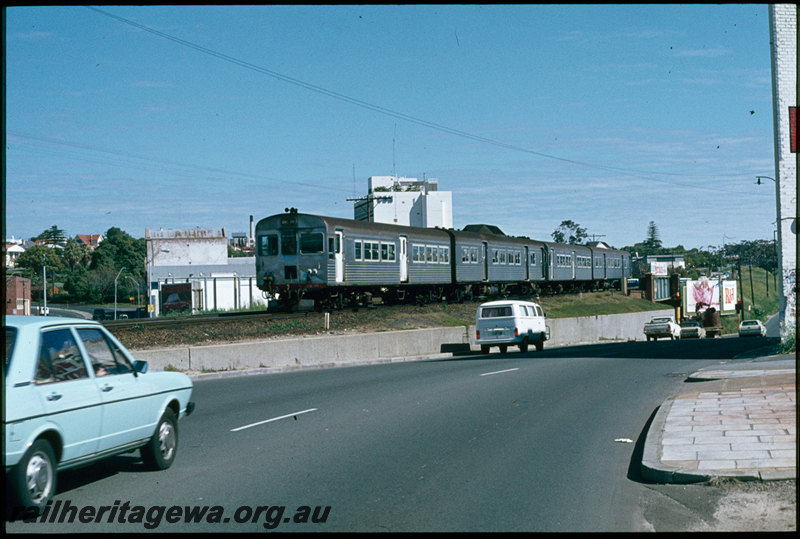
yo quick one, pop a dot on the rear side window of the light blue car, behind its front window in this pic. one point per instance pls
(59, 358)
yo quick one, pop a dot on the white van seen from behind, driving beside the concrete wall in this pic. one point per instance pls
(519, 323)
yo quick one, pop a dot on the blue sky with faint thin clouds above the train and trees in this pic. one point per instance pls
(185, 117)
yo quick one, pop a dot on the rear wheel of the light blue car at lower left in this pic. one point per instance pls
(34, 477)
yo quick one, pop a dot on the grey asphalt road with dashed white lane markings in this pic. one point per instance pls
(515, 442)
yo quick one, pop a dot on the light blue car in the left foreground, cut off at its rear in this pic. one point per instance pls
(73, 395)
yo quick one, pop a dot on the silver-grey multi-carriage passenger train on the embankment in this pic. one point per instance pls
(341, 263)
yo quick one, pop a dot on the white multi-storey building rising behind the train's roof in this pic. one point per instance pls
(405, 201)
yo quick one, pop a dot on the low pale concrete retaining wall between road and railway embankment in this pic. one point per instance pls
(337, 349)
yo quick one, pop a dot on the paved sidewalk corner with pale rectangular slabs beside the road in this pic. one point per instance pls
(741, 423)
